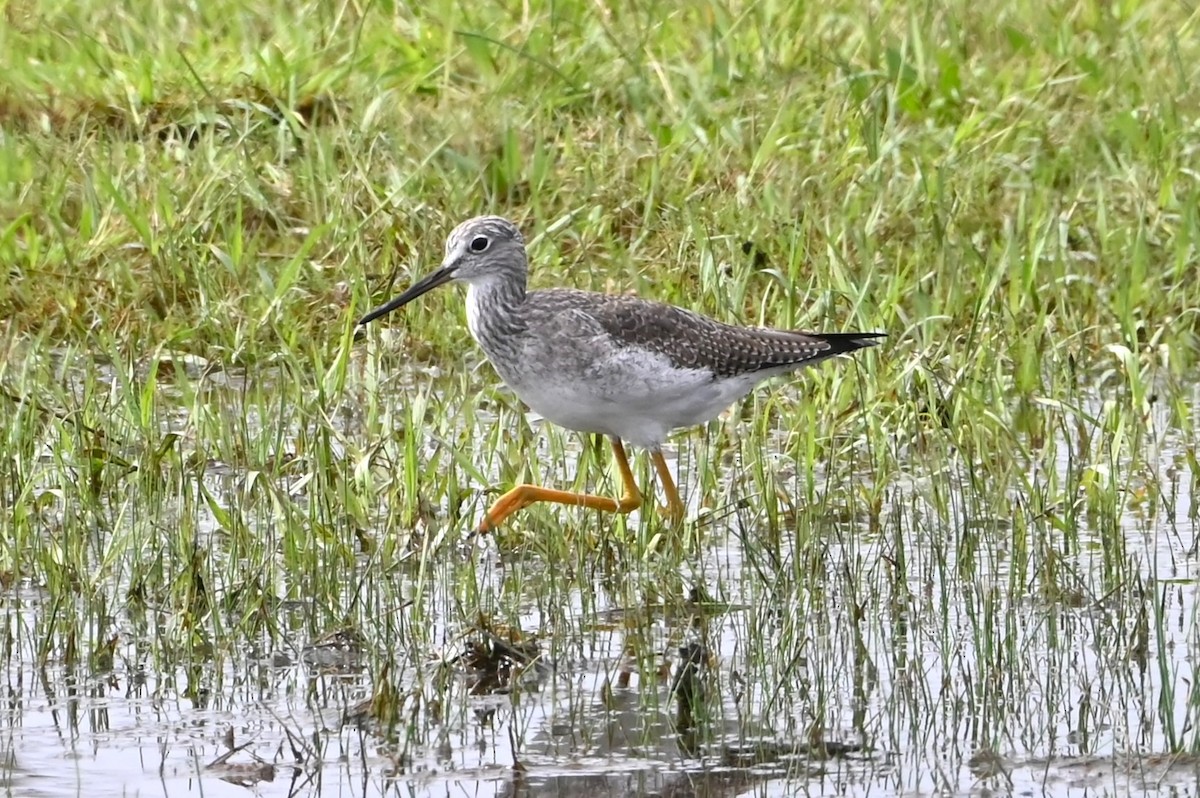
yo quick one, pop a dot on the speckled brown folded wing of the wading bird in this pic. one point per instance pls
(693, 341)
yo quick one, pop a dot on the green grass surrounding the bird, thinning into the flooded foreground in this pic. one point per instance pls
(974, 533)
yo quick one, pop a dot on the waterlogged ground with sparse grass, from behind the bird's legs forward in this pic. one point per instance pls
(959, 639)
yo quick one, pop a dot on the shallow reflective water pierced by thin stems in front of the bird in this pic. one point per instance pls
(898, 657)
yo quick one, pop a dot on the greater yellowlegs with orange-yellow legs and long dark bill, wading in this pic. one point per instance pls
(627, 368)
